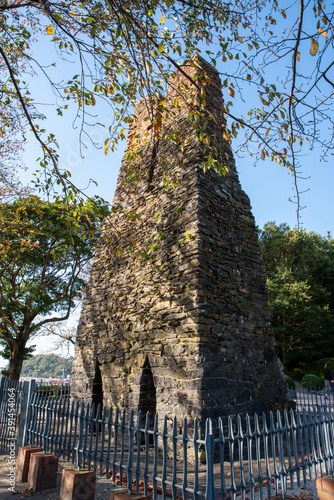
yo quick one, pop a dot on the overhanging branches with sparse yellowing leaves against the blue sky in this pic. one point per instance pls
(275, 56)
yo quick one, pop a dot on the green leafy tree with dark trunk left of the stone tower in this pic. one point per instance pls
(44, 249)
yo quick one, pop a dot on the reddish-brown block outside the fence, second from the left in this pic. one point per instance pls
(43, 470)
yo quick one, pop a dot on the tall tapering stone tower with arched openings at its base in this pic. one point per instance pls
(175, 318)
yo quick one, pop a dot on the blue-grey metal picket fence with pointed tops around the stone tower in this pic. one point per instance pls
(264, 454)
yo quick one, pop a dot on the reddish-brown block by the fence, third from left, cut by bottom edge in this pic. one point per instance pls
(77, 485)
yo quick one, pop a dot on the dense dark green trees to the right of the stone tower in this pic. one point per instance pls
(300, 279)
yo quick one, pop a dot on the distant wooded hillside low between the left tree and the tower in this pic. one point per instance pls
(47, 365)
